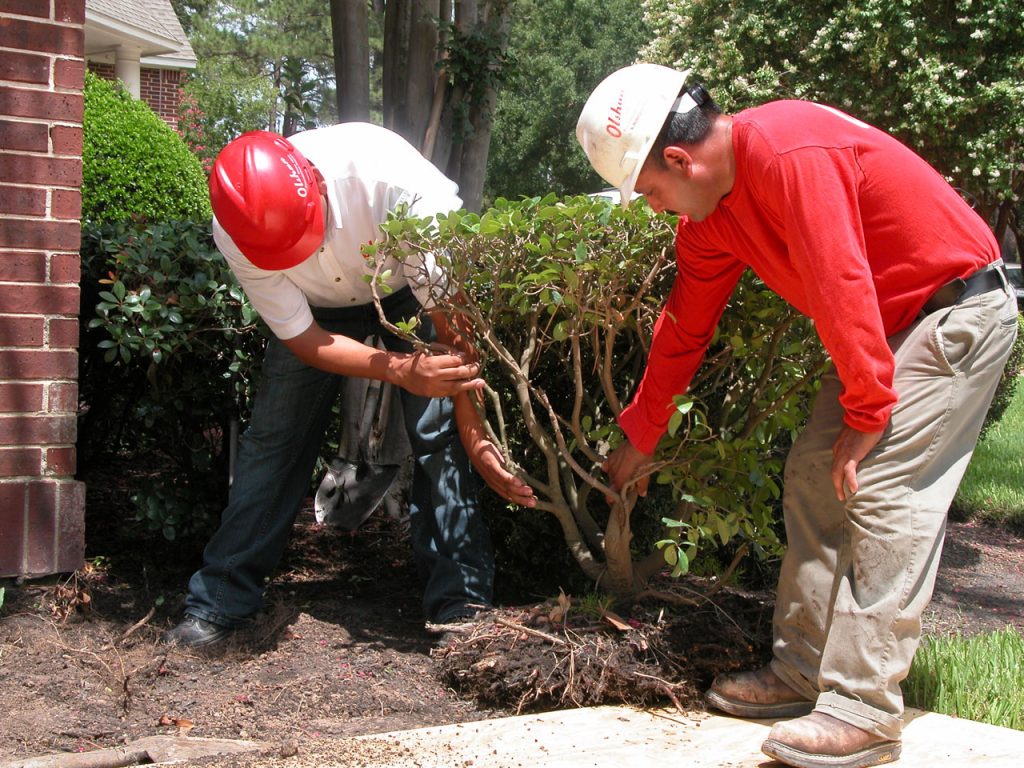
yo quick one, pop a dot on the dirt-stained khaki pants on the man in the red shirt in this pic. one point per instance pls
(858, 576)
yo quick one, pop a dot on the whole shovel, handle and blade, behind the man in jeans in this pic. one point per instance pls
(355, 486)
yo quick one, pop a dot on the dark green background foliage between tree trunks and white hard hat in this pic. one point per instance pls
(561, 51)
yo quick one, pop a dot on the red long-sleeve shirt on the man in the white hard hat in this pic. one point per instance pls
(843, 222)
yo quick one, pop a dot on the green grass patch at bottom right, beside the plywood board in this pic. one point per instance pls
(979, 678)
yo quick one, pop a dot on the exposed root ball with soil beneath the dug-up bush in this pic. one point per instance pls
(505, 660)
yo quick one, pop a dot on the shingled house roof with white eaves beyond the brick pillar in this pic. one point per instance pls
(150, 26)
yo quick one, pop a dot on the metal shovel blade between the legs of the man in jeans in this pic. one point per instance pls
(352, 491)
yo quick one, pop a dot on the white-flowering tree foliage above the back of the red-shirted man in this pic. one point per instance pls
(945, 76)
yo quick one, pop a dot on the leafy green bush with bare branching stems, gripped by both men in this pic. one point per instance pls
(563, 295)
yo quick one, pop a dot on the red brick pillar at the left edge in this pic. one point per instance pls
(42, 70)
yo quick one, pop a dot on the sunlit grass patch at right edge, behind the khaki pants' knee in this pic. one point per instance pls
(994, 487)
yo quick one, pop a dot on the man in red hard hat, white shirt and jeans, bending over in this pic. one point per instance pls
(291, 217)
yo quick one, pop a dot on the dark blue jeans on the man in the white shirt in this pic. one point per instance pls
(277, 457)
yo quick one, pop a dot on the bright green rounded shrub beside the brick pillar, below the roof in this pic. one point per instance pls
(134, 164)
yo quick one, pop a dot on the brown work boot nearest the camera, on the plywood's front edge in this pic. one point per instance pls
(820, 741)
